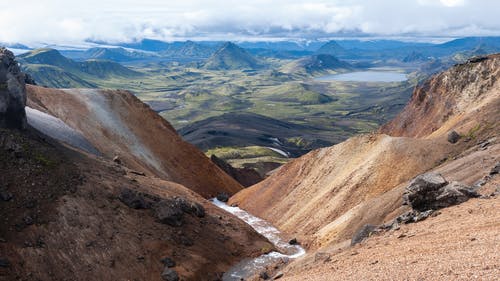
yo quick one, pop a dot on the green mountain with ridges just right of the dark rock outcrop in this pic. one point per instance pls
(49, 68)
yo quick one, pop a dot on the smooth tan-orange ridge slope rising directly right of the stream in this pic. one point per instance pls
(317, 196)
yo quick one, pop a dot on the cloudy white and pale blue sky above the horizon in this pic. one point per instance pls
(68, 21)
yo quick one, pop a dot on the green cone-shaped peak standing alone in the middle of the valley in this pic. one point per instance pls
(231, 57)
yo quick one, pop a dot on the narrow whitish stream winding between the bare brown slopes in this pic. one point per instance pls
(249, 267)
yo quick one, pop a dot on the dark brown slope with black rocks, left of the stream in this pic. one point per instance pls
(65, 221)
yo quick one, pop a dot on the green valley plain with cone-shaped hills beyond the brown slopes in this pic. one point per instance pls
(306, 113)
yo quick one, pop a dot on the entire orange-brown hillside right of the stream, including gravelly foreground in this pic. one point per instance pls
(328, 196)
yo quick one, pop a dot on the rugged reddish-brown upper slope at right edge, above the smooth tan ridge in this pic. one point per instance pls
(461, 98)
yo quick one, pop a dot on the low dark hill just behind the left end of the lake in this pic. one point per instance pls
(316, 64)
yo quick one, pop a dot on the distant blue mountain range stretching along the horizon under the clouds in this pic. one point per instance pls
(188, 51)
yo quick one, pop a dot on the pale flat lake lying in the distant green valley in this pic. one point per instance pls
(365, 76)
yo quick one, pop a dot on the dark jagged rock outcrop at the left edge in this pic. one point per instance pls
(12, 92)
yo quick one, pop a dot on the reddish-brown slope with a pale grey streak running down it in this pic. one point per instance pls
(118, 124)
